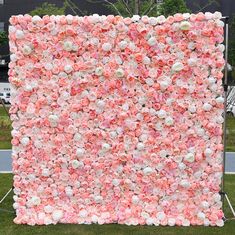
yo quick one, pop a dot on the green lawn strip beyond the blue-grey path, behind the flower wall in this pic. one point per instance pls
(5, 135)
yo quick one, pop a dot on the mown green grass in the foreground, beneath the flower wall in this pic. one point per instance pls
(7, 227)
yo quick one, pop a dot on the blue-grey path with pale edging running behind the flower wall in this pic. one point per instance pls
(5, 162)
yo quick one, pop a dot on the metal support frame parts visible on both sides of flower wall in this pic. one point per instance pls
(222, 192)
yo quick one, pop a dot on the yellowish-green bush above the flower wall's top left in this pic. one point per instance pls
(48, 9)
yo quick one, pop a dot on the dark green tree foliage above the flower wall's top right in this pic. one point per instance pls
(170, 7)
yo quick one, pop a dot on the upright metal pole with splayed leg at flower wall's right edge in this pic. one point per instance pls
(225, 85)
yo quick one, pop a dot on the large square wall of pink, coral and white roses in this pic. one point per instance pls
(117, 120)
